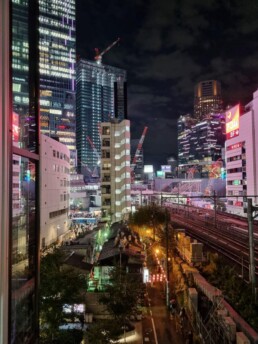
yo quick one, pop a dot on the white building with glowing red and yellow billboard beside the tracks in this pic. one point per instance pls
(241, 156)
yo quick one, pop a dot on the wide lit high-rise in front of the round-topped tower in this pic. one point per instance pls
(200, 146)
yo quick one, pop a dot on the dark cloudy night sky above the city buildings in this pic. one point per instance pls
(167, 46)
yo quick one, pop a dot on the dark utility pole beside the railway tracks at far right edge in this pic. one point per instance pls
(250, 218)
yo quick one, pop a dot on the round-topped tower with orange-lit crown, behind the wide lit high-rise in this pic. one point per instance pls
(207, 98)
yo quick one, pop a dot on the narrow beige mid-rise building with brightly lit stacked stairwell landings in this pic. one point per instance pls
(115, 169)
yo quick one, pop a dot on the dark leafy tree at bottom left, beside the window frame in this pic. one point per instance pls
(58, 286)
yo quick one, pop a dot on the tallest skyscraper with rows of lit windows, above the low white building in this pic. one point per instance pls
(57, 71)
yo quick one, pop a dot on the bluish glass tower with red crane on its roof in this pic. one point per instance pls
(100, 96)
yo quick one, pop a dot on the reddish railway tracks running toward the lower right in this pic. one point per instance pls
(227, 236)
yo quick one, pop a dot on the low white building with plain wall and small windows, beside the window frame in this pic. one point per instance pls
(54, 191)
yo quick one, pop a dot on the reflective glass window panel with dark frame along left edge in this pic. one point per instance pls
(24, 183)
